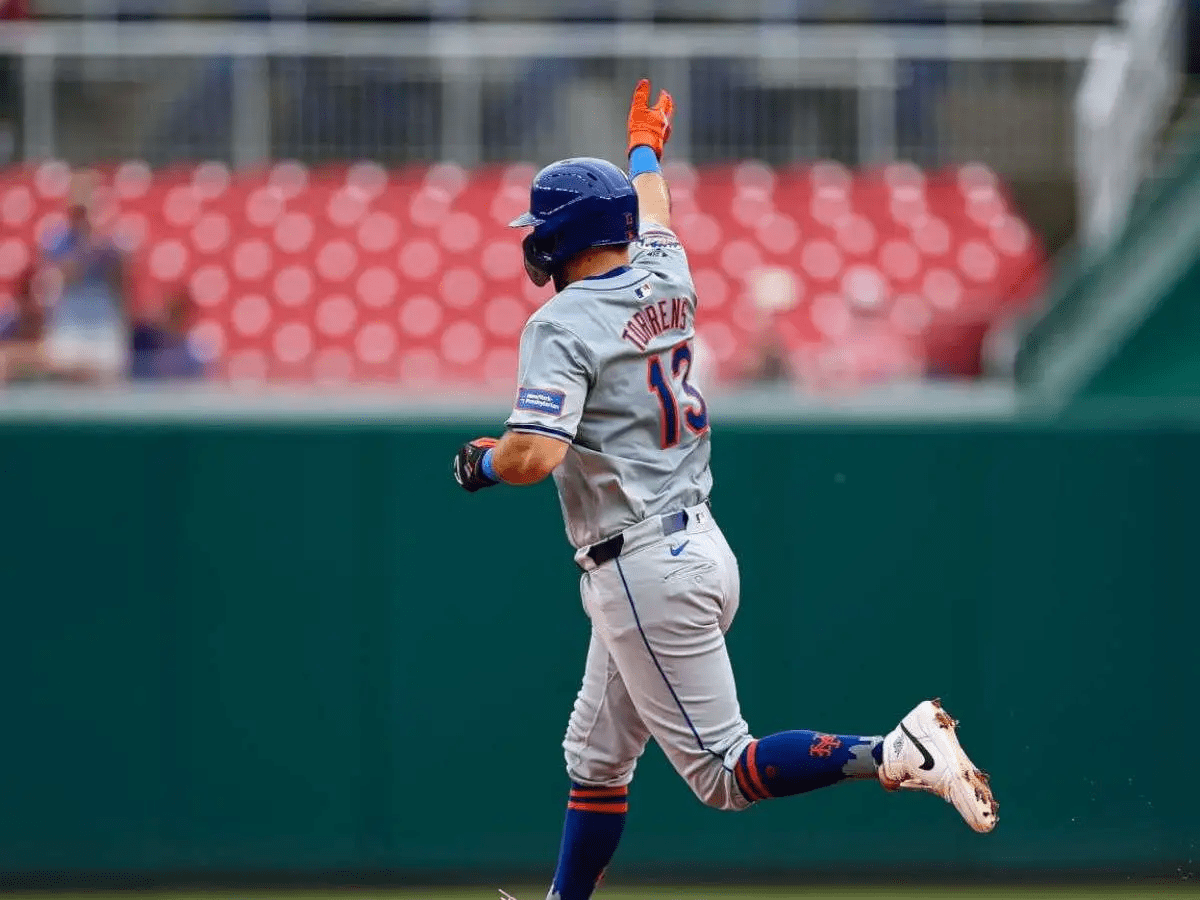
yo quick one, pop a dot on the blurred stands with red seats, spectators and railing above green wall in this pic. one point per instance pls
(316, 193)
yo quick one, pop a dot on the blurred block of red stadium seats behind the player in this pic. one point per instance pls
(352, 272)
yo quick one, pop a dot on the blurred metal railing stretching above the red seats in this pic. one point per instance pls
(479, 93)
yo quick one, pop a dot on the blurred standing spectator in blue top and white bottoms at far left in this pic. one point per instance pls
(87, 337)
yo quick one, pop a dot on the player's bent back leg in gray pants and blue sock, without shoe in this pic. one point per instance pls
(664, 620)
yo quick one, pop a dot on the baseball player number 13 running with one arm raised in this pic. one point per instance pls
(605, 404)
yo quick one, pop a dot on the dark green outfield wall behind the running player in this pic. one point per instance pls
(299, 649)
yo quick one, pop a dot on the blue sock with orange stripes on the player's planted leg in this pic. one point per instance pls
(596, 818)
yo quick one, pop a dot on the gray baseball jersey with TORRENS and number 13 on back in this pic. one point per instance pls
(604, 367)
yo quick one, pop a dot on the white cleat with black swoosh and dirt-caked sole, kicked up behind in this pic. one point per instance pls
(923, 754)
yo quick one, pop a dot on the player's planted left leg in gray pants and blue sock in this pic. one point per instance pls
(604, 741)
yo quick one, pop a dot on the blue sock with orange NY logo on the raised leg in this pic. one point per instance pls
(797, 761)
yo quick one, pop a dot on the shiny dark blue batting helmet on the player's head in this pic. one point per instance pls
(577, 205)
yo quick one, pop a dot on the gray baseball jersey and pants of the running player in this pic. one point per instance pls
(604, 367)
